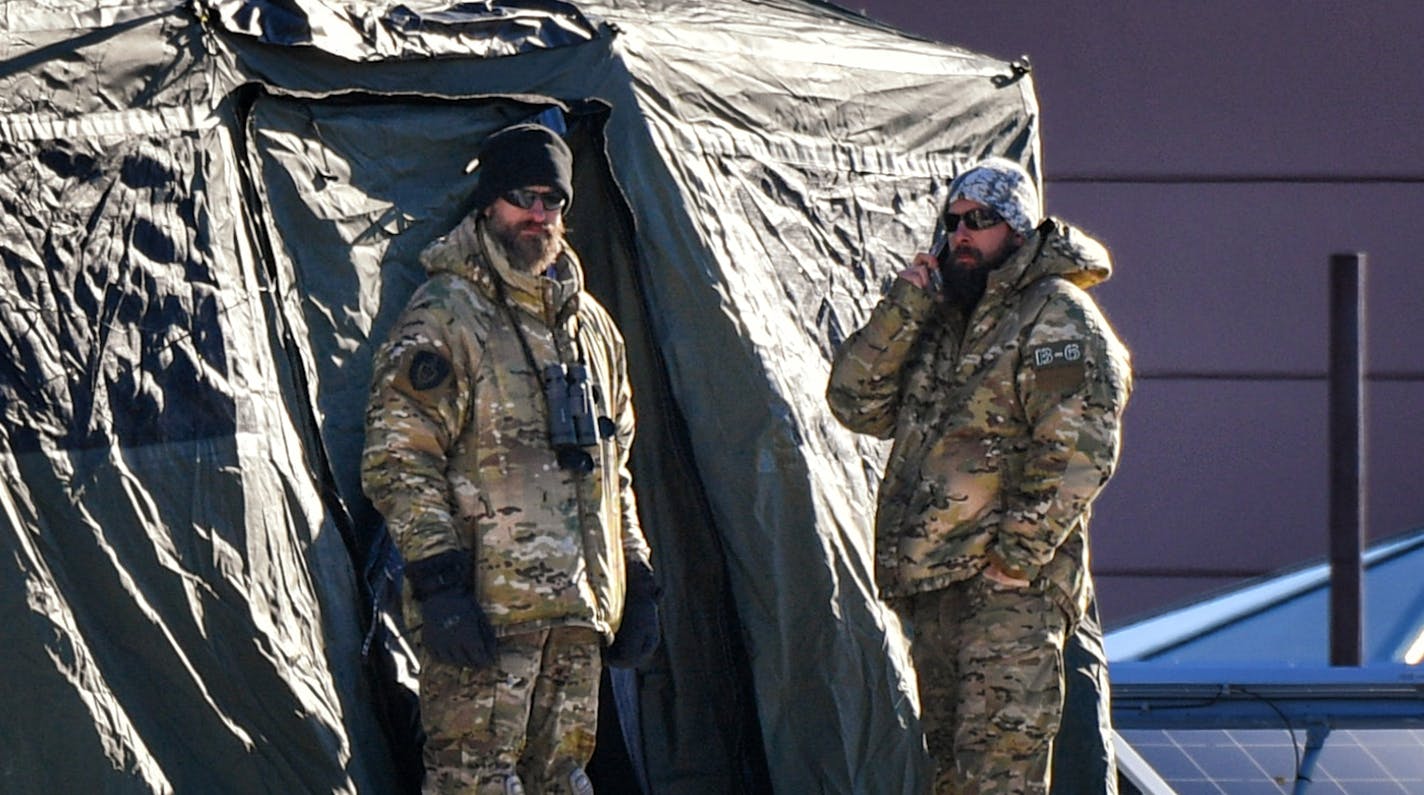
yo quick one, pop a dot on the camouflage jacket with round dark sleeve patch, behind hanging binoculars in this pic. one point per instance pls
(458, 445)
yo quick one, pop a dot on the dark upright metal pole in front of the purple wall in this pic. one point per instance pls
(1346, 458)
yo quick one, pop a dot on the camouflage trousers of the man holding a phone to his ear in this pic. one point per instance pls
(992, 685)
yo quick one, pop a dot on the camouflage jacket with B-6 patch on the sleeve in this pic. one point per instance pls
(1006, 424)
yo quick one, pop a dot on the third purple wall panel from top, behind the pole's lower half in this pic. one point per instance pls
(1223, 481)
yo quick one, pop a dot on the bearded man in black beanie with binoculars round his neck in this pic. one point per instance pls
(498, 447)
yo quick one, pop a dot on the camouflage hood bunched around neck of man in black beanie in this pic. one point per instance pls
(469, 251)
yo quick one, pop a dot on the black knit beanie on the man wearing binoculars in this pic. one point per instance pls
(519, 157)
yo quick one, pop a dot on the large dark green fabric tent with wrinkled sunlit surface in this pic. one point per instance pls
(211, 216)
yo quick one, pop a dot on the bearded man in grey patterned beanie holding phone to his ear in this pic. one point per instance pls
(1003, 387)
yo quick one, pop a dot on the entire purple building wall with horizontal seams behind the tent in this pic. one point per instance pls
(1224, 152)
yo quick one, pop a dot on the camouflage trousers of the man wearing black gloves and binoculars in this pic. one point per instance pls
(525, 726)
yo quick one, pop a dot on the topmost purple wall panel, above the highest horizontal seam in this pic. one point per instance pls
(1211, 86)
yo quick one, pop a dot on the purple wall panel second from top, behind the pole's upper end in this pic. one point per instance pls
(1237, 279)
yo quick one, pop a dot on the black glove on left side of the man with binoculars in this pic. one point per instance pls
(456, 628)
